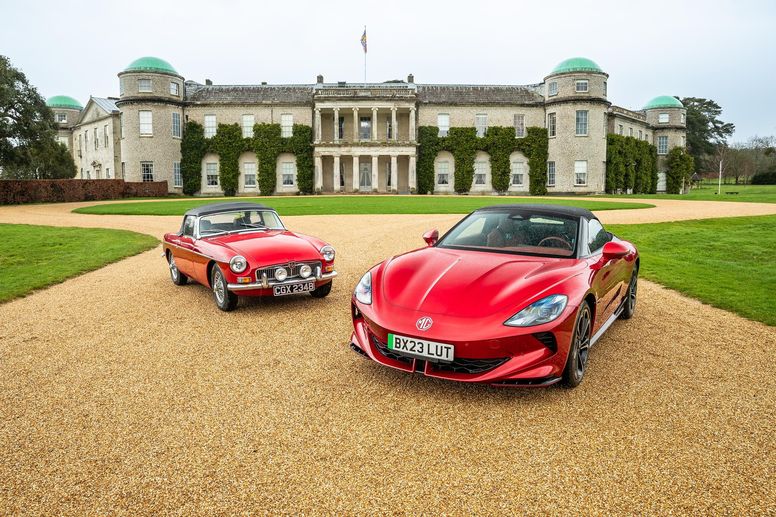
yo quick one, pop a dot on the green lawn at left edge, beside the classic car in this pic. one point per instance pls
(32, 257)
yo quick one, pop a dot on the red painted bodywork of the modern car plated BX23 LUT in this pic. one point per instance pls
(470, 294)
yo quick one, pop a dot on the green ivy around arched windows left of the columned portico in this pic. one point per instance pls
(229, 144)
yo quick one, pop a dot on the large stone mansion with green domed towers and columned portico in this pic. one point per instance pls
(364, 134)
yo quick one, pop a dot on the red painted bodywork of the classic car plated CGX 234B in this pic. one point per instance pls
(193, 257)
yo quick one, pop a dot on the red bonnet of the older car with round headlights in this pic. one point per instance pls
(270, 247)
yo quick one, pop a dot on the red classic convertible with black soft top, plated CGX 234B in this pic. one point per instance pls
(243, 248)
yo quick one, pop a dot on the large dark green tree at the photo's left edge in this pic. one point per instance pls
(28, 145)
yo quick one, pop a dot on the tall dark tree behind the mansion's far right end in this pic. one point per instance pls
(705, 130)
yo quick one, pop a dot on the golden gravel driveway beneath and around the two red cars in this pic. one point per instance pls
(123, 394)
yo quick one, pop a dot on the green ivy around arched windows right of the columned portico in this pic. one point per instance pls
(499, 143)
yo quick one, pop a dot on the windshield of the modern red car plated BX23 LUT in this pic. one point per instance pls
(519, 232)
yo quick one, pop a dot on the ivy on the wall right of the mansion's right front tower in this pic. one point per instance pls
(631, 165)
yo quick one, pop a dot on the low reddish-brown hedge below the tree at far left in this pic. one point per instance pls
(14, 192)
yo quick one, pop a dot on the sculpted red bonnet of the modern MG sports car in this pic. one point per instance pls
(469, 283)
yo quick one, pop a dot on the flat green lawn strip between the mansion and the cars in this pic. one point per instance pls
(331, 205)
